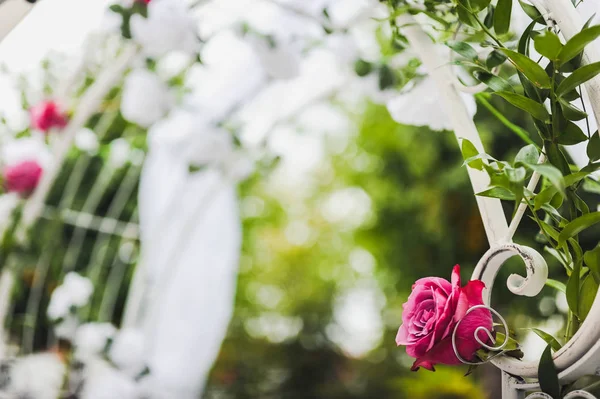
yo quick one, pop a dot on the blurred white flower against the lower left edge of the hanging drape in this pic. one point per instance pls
(127, 351)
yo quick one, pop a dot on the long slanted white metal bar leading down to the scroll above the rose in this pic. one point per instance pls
(491, 211)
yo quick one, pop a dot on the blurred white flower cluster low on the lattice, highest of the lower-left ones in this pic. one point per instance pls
(75, 291)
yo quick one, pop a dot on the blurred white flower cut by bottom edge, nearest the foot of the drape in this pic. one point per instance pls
(102, 381)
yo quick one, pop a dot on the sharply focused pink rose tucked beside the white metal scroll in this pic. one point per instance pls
(432, 311)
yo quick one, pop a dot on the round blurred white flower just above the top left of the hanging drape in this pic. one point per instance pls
(146, 99)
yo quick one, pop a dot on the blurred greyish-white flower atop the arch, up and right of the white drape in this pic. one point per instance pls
(279, 60)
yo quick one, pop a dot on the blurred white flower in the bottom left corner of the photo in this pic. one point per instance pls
(38, 376)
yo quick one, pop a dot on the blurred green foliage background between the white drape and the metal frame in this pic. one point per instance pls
(423, 220)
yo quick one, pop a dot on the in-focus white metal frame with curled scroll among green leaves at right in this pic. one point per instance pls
(581, 355)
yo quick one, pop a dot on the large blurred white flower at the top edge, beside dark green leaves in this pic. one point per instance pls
(170, 26)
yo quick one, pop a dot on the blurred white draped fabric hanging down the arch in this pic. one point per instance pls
(198, 256)
